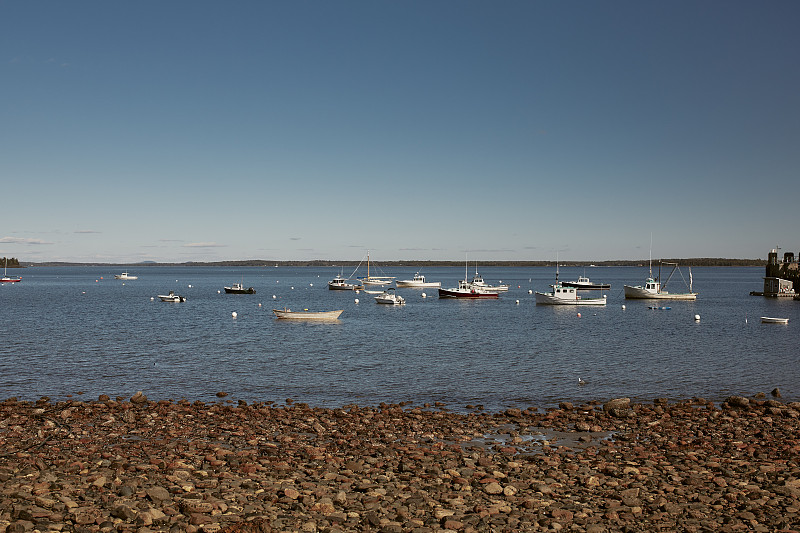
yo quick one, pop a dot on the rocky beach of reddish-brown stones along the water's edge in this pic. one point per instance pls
(135, 465)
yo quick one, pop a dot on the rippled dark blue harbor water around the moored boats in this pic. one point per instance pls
(70, 331)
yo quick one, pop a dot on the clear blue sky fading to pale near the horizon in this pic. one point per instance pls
(511, 130)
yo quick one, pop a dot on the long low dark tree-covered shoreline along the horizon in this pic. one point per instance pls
(703, 261)
